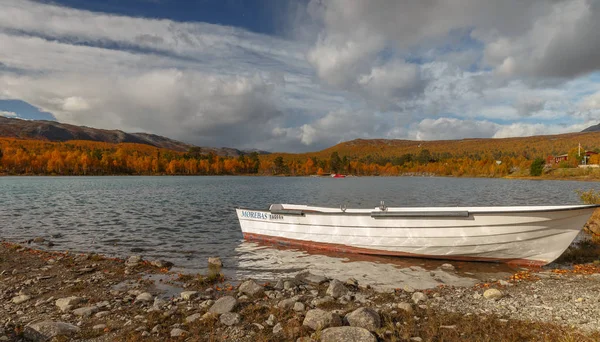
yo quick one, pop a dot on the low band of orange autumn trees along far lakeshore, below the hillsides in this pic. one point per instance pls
(36, 157)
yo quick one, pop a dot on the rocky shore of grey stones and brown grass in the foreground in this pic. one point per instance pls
(62, 296)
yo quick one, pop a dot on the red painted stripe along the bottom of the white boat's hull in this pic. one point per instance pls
(339, 248)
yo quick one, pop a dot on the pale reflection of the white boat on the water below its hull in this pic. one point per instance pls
(270, 261)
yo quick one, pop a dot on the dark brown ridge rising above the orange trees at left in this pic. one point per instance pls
(60, 132)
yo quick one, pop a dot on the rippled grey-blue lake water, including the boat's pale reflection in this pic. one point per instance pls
(187, 219)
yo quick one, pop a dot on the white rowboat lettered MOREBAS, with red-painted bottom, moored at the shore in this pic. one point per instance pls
(522, 235)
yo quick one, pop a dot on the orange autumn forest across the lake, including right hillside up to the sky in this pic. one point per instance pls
(475, 158)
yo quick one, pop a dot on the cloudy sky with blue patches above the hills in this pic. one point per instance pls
(297, 76)
